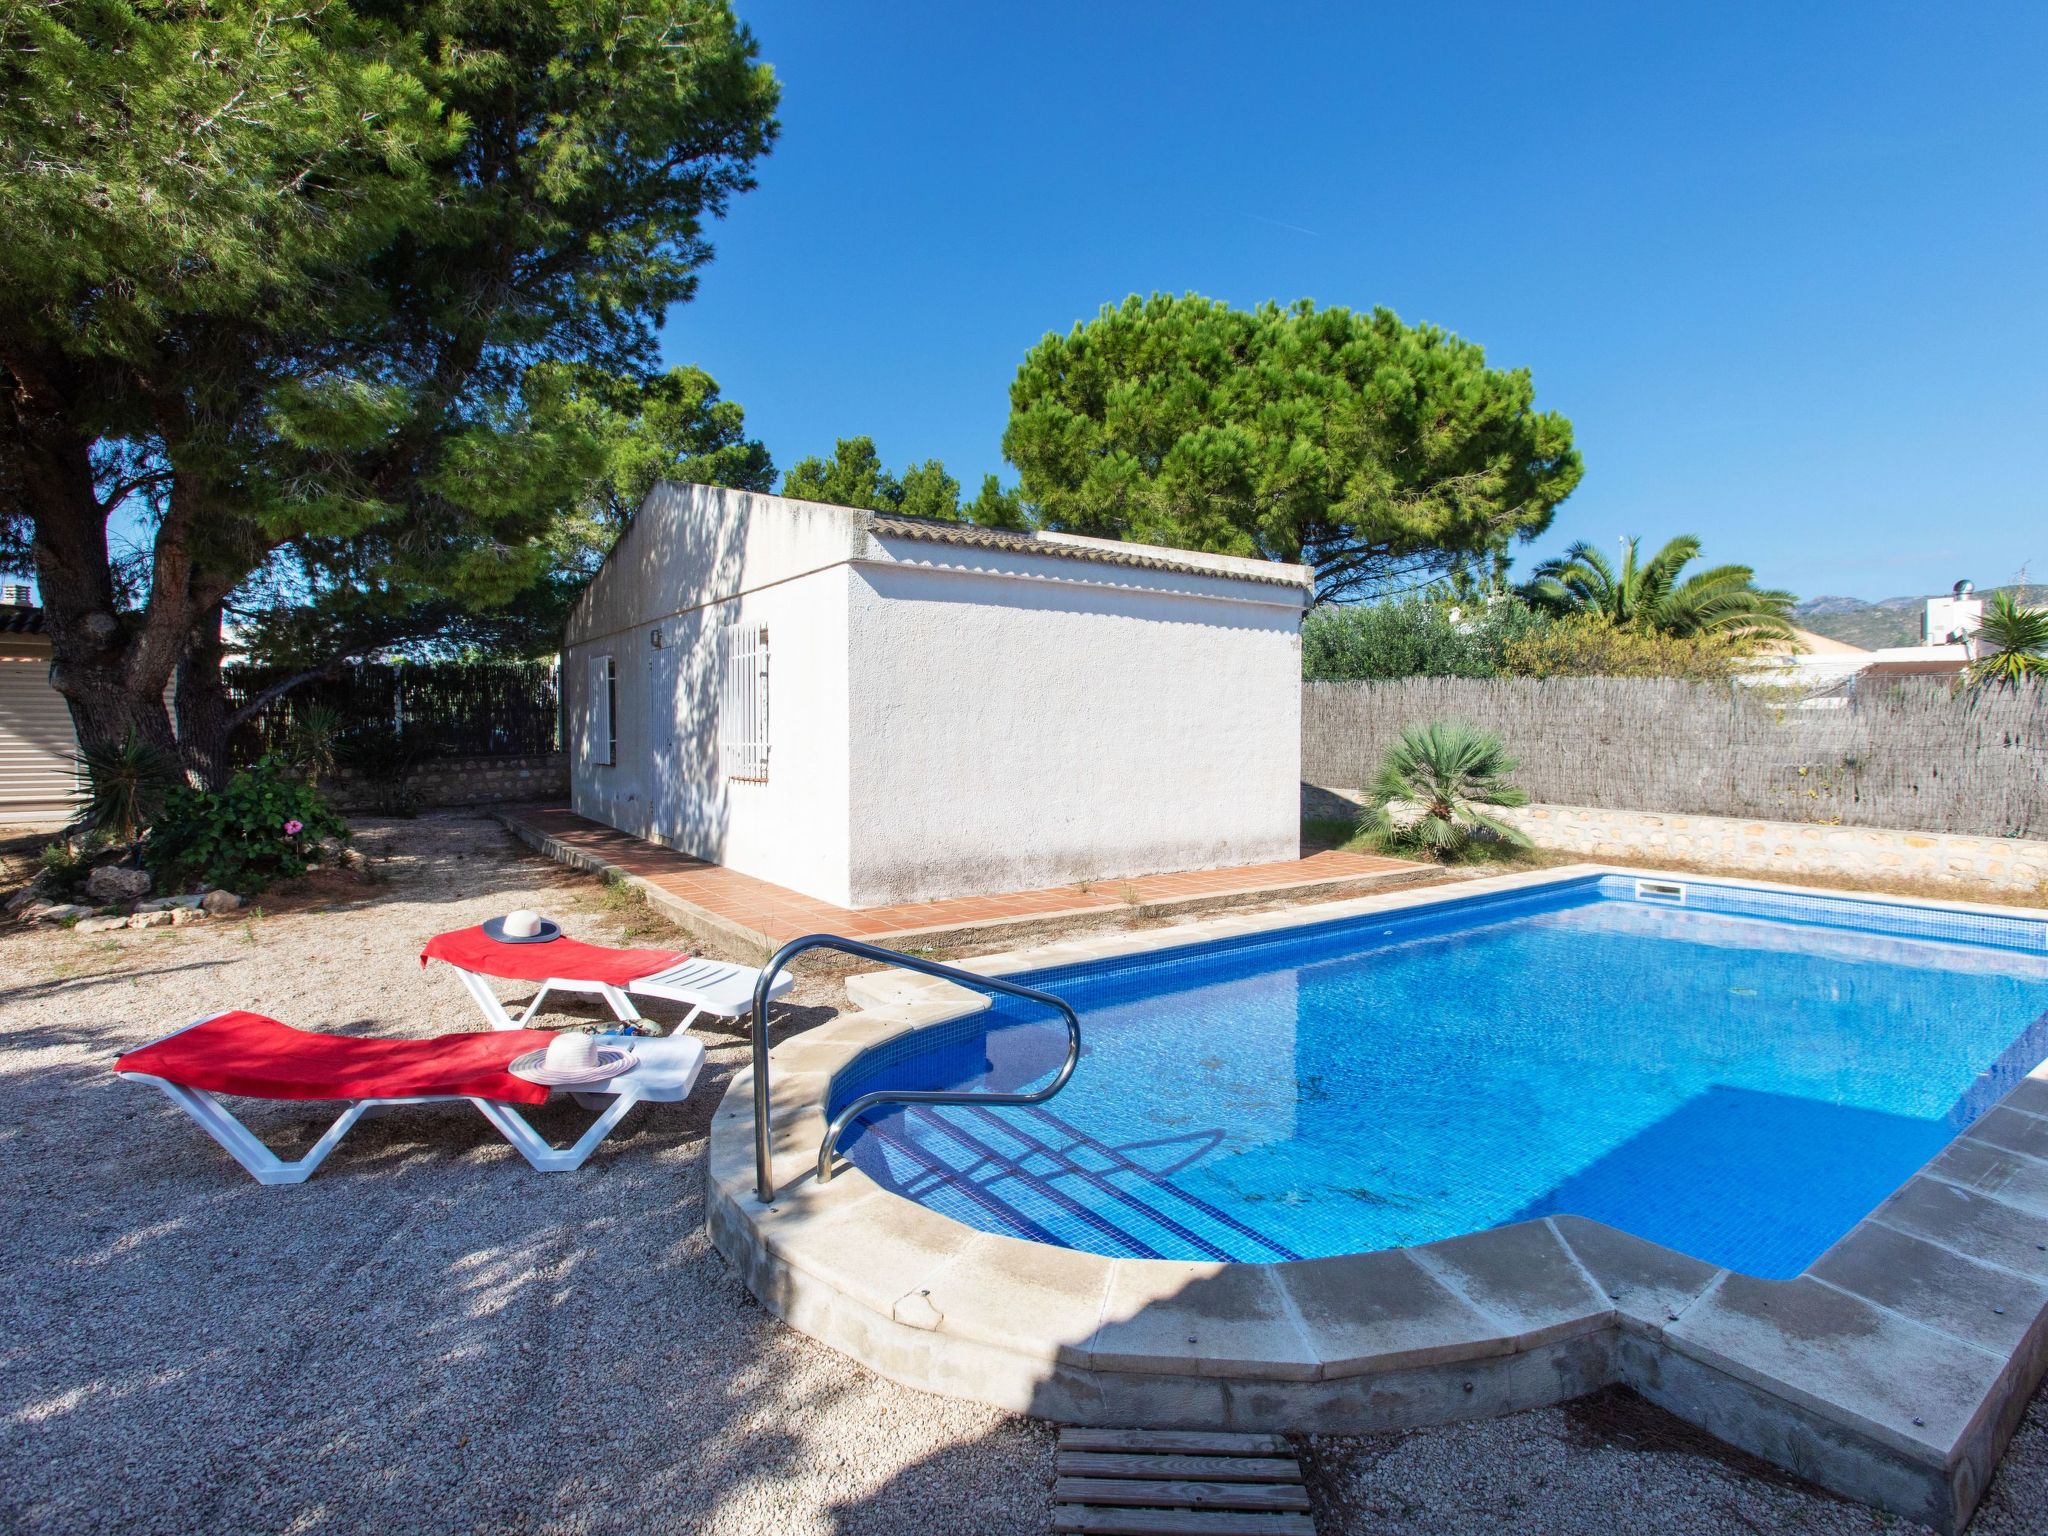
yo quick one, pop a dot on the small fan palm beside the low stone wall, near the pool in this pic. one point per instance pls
(1435, 790)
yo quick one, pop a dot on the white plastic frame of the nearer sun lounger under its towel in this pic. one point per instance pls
(267, 1168)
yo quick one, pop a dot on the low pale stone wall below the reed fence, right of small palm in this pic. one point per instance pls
(1787, 847)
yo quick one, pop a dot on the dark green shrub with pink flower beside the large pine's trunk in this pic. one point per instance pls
(263, 828)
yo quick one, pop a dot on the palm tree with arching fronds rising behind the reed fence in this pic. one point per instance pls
(1650, 595)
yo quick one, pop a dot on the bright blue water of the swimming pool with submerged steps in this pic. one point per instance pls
(1740, 1078)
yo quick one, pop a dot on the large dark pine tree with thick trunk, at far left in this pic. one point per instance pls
(308, 280)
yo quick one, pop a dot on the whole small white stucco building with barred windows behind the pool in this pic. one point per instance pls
(878, 710)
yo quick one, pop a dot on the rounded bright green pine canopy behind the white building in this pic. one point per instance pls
(1363, 447)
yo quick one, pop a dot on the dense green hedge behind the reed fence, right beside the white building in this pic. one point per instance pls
(1410, 638)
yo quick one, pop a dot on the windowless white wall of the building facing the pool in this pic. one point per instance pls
(1031, 722)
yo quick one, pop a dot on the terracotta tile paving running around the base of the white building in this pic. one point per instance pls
(777, 914)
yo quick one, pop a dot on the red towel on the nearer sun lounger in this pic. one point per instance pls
(259, 1058)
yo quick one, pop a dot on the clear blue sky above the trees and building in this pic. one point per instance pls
(1783, 267)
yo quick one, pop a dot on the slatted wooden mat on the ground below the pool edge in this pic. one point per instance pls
(1179, 1484)
